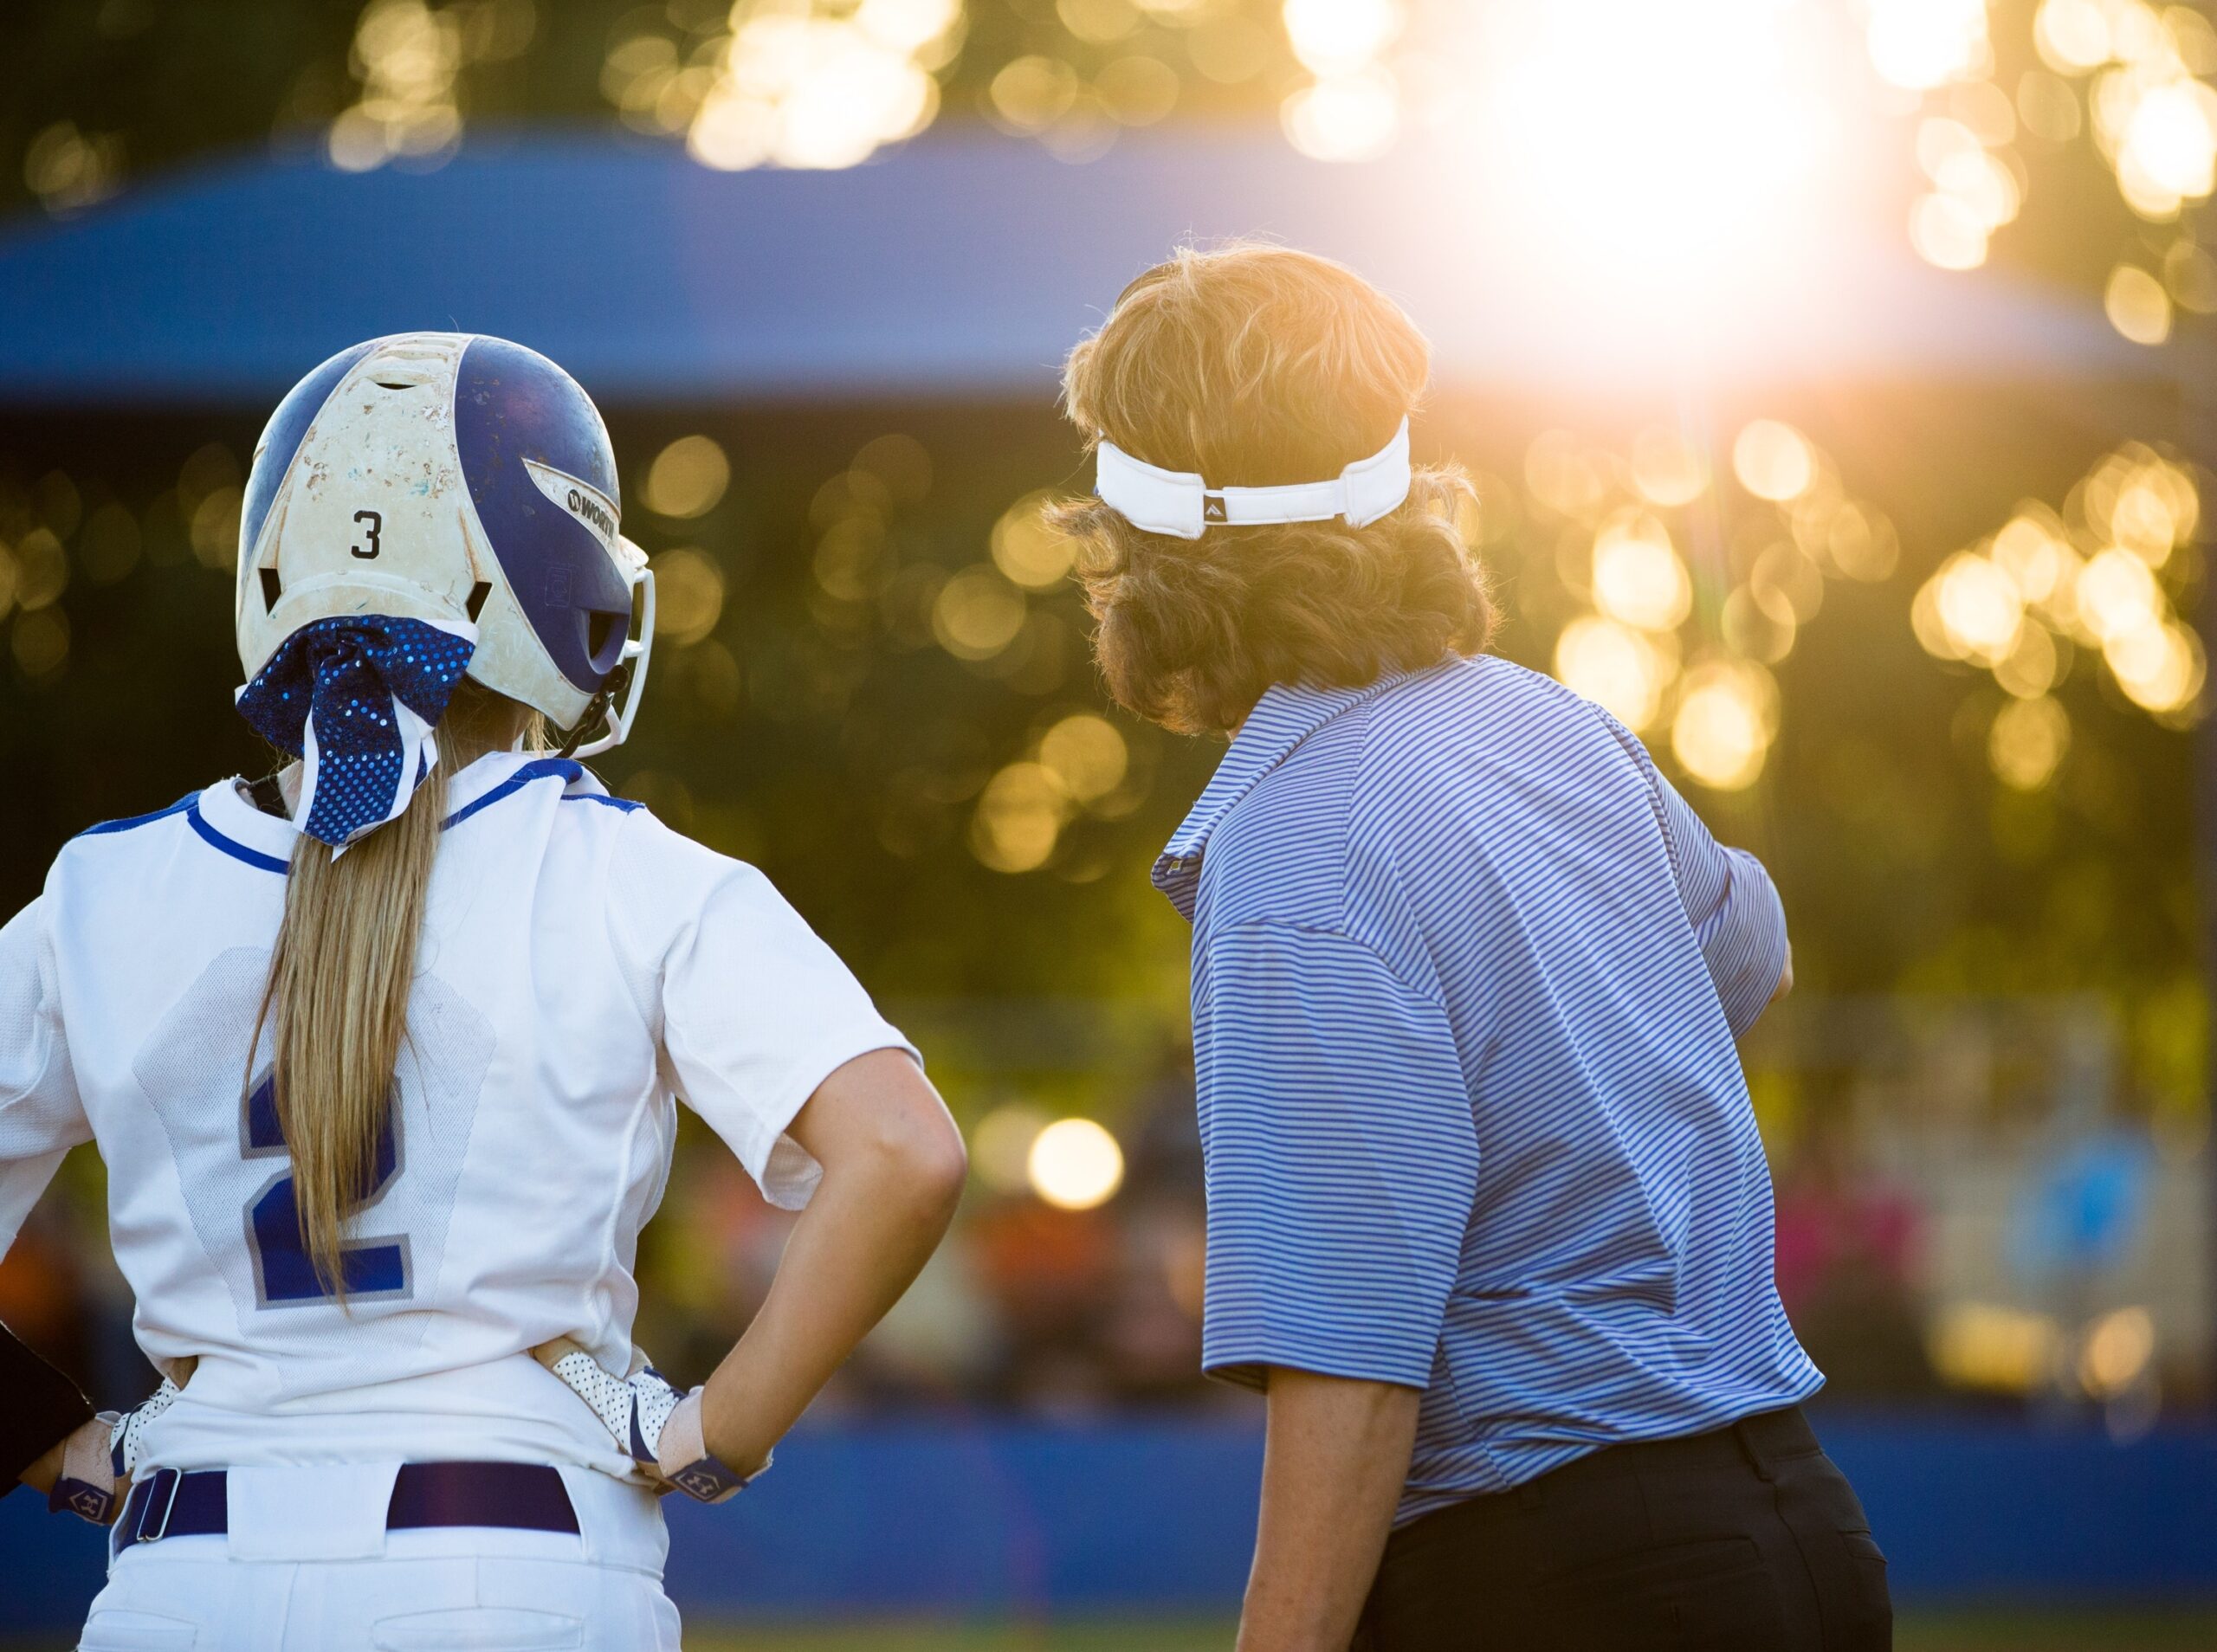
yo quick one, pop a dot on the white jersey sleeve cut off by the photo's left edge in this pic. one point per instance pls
(41, 1116)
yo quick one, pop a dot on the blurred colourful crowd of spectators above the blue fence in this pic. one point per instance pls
(1043, 1309)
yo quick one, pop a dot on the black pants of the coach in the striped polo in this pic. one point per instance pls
(1746, 1540)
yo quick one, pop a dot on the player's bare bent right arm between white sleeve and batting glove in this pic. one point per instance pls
(892, 1176)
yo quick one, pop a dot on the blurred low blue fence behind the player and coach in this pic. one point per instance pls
(1132, 1518)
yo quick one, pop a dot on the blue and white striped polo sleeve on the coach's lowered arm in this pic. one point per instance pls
(1340, 1152)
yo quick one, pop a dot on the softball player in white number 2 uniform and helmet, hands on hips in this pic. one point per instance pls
(382, 1061)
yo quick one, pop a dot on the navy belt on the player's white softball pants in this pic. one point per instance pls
(524, 1498)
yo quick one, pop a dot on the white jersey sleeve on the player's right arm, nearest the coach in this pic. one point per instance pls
(753, 1010)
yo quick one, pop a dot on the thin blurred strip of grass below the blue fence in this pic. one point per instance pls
(2023, 1631)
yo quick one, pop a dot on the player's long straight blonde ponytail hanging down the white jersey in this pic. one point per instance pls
(340, 977)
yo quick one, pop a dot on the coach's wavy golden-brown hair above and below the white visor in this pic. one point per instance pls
(1256, 367)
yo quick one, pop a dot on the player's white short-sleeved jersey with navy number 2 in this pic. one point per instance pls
(582, 966)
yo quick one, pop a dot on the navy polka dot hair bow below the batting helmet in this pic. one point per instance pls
(358, 700)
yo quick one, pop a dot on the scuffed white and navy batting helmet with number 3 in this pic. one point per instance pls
(453, 478)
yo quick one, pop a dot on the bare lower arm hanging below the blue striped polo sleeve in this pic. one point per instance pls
(1334, 1471)
